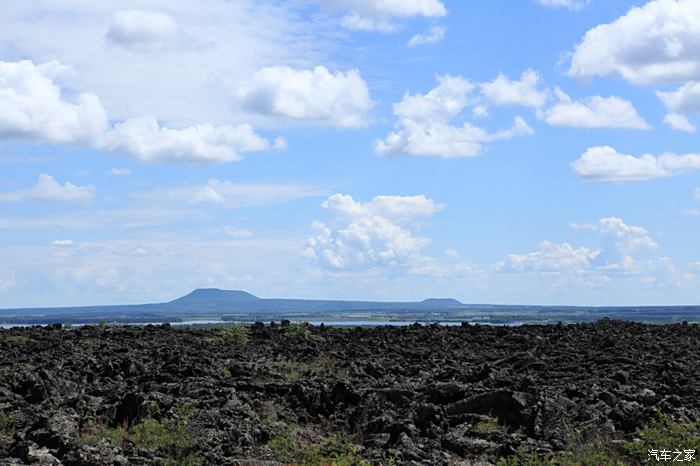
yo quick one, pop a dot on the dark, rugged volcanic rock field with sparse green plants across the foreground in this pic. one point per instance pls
(601, 393)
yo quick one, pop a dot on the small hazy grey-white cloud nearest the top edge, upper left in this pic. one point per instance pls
(147, 31)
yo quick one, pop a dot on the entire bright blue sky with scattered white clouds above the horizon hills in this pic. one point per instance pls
(538, 151)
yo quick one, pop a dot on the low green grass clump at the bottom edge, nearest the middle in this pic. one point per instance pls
(331, 451)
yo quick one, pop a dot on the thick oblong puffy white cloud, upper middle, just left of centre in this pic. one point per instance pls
(319, 95)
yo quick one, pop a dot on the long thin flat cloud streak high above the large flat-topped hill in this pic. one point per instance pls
(227, 194)
